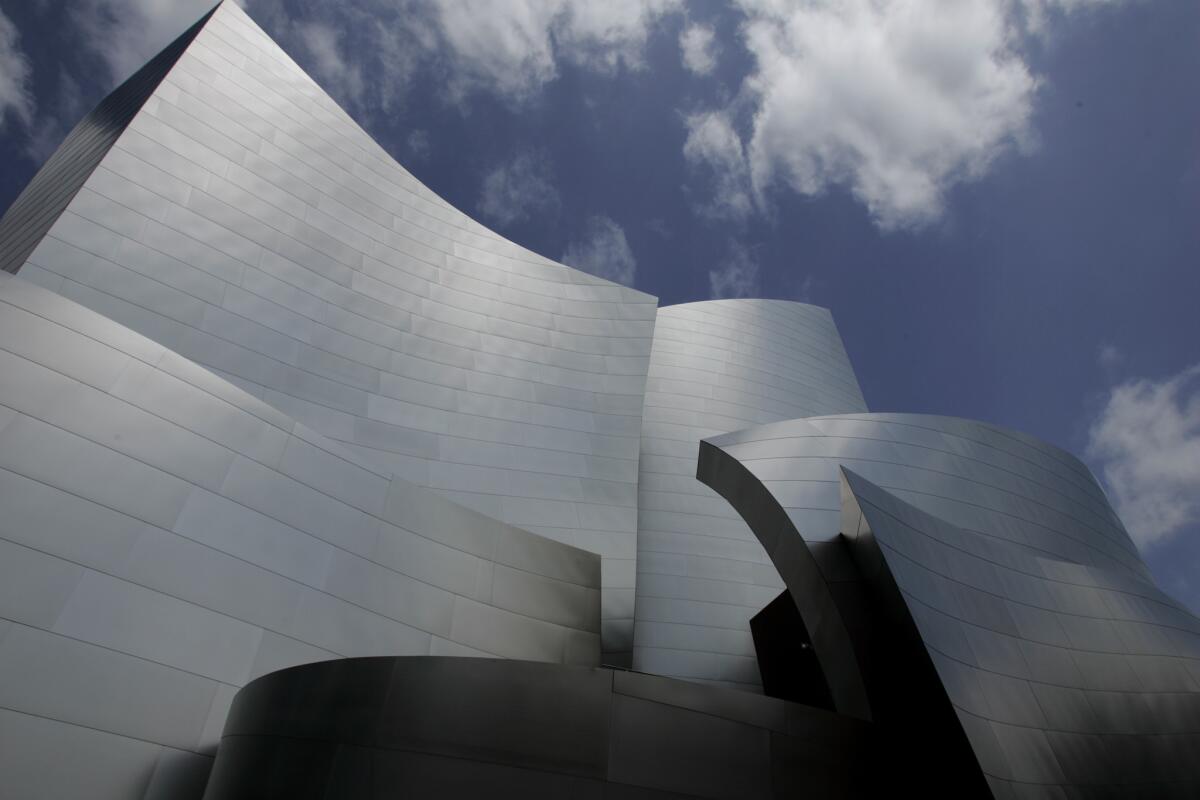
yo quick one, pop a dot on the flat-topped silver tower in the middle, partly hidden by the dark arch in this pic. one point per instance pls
(719, 366)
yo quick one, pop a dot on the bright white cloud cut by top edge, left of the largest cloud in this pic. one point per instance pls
(515, 47)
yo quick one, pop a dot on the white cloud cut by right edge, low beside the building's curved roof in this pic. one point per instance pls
(1147, 441)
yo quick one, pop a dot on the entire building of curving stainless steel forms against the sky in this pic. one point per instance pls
(266, 400)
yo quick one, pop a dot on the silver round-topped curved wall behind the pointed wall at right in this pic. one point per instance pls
(971, 474)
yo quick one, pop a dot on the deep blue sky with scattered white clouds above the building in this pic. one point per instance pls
(999, 200)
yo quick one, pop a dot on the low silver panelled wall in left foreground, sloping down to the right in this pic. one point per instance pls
(166, 538)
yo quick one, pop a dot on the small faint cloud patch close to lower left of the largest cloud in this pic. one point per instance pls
(715, 148)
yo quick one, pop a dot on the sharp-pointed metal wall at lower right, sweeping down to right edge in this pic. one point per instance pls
(1067, 679)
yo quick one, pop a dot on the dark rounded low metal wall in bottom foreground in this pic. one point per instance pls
(430, 727)
